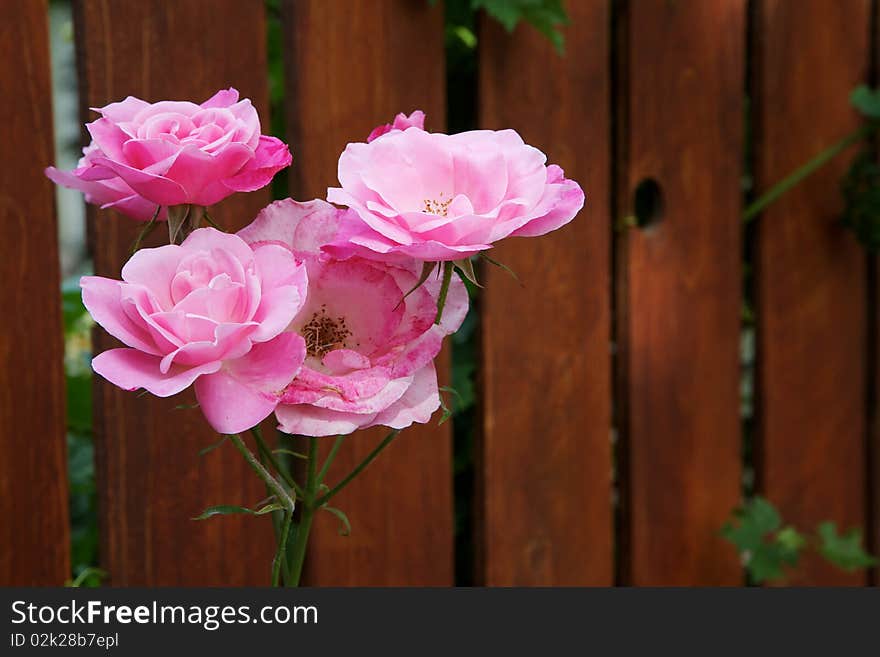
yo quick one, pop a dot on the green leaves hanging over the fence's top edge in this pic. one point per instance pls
(547, 16)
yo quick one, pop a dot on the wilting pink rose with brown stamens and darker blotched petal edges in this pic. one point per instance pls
(370, 353)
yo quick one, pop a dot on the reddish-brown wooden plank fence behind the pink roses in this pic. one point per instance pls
(610, 438)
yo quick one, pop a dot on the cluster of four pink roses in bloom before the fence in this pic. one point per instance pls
(325, 315)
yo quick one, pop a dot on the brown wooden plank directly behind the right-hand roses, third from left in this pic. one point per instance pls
(352, 66)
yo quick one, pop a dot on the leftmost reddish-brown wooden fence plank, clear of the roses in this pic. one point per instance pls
(34, 530)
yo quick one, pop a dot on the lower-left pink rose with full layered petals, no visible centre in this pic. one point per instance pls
(212, 311)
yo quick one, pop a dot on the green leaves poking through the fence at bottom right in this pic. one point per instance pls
(767, 548)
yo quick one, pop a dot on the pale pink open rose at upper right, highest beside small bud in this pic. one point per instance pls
(438, 197)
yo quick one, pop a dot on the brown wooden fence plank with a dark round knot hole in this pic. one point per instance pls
(679, 289)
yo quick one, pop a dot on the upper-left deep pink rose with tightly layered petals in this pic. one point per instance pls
(174, 153)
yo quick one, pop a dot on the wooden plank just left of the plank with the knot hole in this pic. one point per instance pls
(545, 479)
